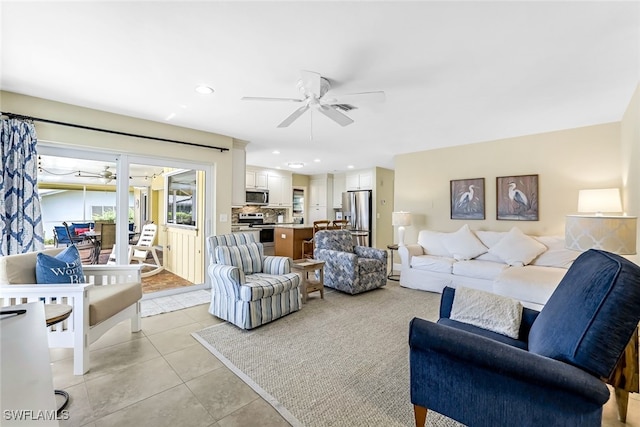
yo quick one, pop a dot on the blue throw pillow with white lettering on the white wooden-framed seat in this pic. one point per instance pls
(66, 267)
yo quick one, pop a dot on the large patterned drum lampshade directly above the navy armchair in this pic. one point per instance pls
(615, 234)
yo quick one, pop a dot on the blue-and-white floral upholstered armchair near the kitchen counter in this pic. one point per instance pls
(349, 268)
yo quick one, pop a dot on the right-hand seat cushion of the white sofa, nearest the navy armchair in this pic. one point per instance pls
(531, 283)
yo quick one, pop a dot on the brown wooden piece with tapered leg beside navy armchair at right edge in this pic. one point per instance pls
(625, 376)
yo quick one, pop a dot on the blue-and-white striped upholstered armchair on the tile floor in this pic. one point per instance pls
(249, 289)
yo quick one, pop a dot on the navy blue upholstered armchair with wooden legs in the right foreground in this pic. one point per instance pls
(552, 374)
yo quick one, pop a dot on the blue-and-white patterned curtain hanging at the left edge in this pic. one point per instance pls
(20, 216)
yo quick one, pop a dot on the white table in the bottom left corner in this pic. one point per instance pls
(27, 386)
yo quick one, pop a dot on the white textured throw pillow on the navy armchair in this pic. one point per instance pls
(487, 311)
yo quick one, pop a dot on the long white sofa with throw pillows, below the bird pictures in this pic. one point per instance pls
(512, 264)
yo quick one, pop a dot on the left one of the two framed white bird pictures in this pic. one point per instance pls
(467, 199)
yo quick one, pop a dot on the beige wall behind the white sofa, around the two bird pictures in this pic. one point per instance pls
(565, 161)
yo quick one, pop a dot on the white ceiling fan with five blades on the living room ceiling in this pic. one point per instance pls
(314, 87)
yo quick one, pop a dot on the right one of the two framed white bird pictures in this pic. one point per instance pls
(517, 198)
